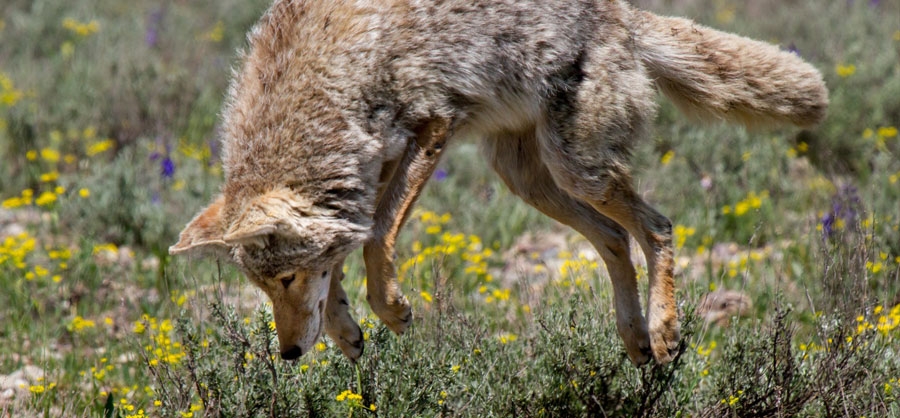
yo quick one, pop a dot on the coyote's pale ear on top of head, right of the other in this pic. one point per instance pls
(268, 214)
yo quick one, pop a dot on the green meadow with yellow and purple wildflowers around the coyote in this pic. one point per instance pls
(108, 145)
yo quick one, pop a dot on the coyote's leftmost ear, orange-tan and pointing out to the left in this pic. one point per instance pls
(204, 232)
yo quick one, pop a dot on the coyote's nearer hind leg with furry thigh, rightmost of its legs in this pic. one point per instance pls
(585, 145)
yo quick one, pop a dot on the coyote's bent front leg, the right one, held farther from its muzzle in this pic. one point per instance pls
(396, 201)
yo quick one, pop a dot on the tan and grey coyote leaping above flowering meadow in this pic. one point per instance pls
(341, 109)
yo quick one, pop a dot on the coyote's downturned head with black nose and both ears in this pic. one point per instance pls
(287, 246)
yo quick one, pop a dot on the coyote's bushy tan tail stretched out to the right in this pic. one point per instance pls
(711, 74)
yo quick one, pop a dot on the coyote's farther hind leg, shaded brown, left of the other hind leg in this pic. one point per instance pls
(516, 160)
